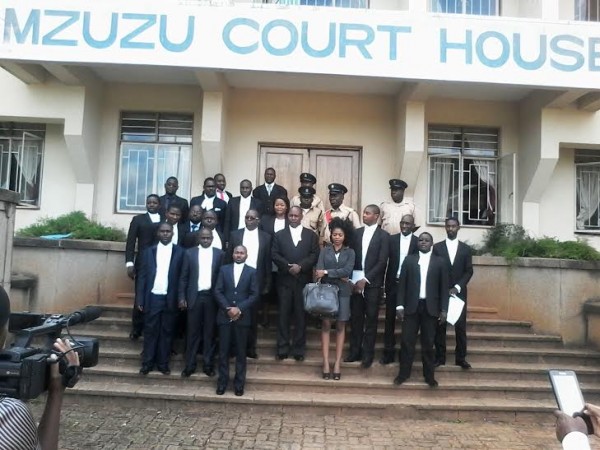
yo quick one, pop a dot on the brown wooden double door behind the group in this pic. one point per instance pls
(328, 164)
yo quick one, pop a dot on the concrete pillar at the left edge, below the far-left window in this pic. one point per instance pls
(8, 207)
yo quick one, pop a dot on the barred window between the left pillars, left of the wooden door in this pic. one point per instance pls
(154, 146)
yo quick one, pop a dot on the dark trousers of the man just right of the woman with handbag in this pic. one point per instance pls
(363, 323)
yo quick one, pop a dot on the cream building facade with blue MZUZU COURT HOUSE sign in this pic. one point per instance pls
(486, 108)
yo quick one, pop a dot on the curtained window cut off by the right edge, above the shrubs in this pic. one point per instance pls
(587, 175)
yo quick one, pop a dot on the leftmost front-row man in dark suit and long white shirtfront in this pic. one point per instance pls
(156, 298)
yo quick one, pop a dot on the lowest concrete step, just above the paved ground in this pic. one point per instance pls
(400, 406)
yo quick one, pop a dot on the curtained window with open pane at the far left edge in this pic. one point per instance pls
(21, 157)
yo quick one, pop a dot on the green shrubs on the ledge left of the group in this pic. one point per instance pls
(75, 223)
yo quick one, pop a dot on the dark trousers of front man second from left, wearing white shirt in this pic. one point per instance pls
(201, 327)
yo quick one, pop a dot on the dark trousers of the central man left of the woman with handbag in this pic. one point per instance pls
(291, 310)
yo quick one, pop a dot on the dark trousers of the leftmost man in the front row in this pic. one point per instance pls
(158, 332)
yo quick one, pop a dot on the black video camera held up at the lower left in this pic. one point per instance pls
(24, 366)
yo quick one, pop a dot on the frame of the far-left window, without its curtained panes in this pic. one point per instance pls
(16, 134)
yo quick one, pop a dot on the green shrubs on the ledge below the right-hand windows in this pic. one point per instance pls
(512, 241)
